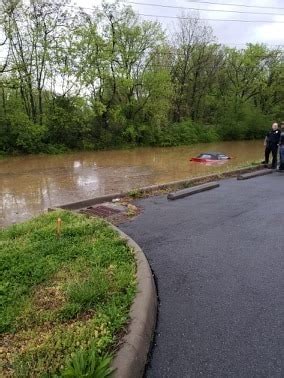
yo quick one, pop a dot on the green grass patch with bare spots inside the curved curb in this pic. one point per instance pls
(62, 298)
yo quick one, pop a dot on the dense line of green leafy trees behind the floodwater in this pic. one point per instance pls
(71, 79)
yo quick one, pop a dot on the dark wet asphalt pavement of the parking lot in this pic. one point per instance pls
(218, 261)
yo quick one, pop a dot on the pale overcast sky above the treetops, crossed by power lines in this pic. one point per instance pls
(232, 33)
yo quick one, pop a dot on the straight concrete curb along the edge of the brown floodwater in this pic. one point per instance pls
(150, 189)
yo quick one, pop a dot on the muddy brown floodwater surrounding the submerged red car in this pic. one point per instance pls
(30, 184)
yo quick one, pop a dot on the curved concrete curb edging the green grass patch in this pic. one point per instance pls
(131, 358)
